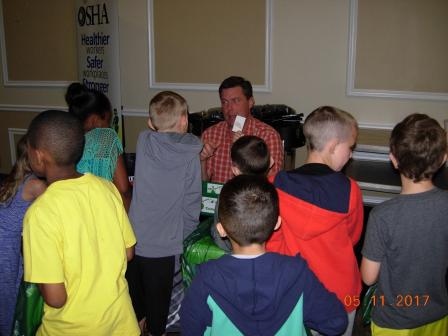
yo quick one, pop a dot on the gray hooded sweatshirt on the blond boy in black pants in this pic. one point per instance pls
(166, 200)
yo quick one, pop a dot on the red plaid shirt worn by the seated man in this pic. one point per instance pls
(219, 165)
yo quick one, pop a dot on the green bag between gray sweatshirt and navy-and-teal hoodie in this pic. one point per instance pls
(198, 248)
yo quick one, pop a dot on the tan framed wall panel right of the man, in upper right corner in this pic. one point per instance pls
(411, 41)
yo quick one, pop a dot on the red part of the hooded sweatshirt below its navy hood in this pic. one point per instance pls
(325, 239)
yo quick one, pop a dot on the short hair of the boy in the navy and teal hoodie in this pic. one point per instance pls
(248, 209)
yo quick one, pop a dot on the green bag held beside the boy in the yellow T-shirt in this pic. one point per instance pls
(29, 310)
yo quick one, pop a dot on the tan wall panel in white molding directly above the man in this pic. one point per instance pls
(177, 25)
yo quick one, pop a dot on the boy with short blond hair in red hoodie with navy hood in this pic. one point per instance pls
(322, 209)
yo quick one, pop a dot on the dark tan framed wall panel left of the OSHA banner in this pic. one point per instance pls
(37, 33)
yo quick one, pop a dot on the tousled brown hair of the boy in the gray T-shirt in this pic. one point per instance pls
(419, 144)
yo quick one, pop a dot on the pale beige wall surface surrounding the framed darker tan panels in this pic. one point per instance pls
(309, 65)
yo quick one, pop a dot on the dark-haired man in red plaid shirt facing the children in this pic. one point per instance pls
(236, 100)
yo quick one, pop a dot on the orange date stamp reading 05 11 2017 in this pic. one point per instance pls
(401, 300)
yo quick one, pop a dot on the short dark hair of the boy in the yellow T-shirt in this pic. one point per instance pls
(60, 134)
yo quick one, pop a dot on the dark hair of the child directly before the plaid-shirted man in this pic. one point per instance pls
(250, 155)
